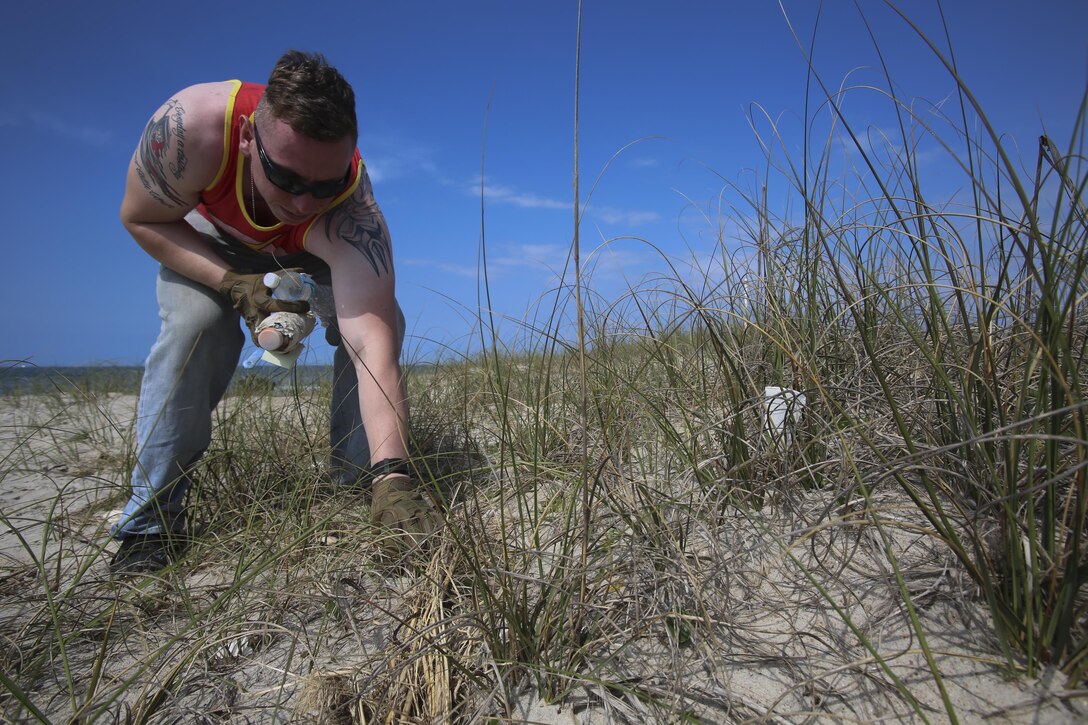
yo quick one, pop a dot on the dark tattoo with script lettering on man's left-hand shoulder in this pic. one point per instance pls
(164, 137)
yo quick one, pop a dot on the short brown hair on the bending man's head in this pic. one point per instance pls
(311, 96)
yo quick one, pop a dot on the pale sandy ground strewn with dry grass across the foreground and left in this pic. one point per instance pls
(324, 633)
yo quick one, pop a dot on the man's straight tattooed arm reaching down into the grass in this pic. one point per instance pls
(354, 240)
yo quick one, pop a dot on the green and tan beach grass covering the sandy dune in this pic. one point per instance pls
(628, 536)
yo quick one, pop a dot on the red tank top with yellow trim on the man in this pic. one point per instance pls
(224, 202)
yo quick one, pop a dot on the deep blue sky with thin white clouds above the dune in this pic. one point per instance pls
(434, 81)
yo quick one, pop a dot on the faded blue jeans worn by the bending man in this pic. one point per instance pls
(187, 375)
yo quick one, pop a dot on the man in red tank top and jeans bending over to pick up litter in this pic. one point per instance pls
(230, 181)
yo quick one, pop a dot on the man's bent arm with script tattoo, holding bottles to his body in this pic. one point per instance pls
(178, 156)
